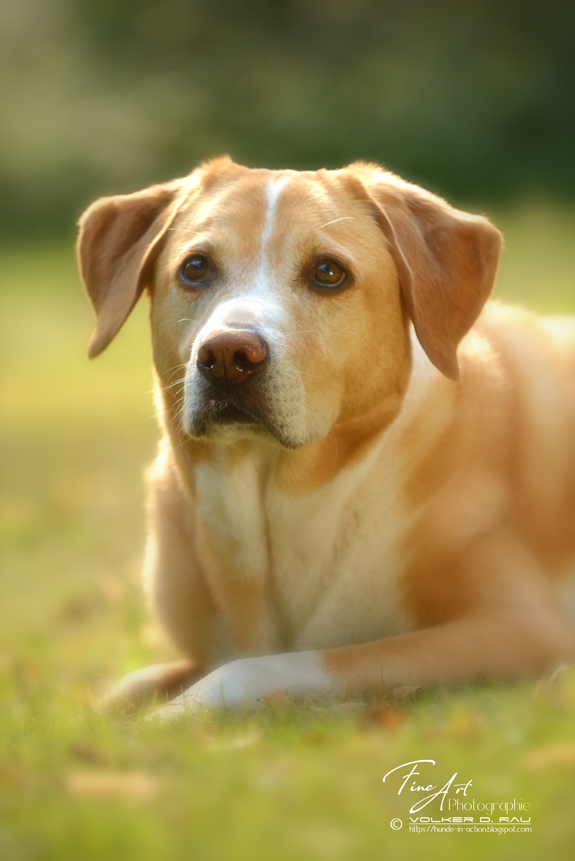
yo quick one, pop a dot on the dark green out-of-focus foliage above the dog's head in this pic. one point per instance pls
(474, 100)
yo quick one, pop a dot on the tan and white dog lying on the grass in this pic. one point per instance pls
(367, 474)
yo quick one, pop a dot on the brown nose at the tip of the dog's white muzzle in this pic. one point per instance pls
(231, 355)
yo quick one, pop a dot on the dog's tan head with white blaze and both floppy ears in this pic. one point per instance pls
(281, 300)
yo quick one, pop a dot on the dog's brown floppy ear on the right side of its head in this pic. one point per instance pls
(446, 261)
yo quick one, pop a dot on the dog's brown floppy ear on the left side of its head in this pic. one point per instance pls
(118, 242)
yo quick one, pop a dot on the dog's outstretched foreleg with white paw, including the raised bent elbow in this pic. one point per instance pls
(514, 625)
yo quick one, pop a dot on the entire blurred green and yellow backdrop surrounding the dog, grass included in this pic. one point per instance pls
(473, 100)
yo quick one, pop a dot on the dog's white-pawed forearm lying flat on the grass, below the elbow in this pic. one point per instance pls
(455, 652)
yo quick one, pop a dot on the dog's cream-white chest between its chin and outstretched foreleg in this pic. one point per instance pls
(328, 563)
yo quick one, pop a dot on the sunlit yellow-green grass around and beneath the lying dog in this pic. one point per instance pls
(281, 784)
